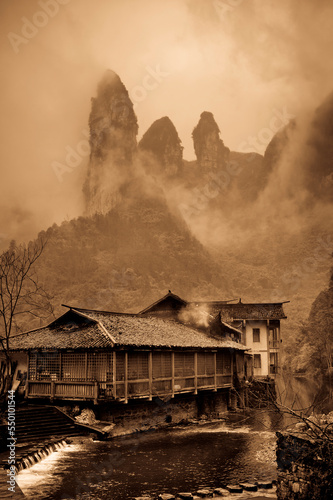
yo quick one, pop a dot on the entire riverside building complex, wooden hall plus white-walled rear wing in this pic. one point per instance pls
(171, 347)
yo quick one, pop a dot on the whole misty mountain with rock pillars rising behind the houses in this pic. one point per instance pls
(226, 225)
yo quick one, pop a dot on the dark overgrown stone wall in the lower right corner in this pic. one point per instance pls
(304, 468)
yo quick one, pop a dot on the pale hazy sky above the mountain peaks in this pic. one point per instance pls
(242, 60)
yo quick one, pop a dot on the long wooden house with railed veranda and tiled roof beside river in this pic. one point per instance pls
(103, 356)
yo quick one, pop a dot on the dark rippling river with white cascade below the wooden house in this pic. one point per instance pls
(164, 461)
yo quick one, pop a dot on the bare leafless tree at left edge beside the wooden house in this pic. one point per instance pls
(21, 297)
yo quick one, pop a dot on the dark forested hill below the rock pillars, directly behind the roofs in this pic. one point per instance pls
(127, 258)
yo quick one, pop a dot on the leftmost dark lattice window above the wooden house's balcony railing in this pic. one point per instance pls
(44, 366)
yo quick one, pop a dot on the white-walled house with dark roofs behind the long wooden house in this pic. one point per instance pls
(256, 325)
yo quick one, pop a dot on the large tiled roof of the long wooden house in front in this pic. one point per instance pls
(95, 329)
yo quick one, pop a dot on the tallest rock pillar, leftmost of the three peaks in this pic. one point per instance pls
(113, 130)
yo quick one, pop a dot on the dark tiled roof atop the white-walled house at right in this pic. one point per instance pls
(273, 311)
